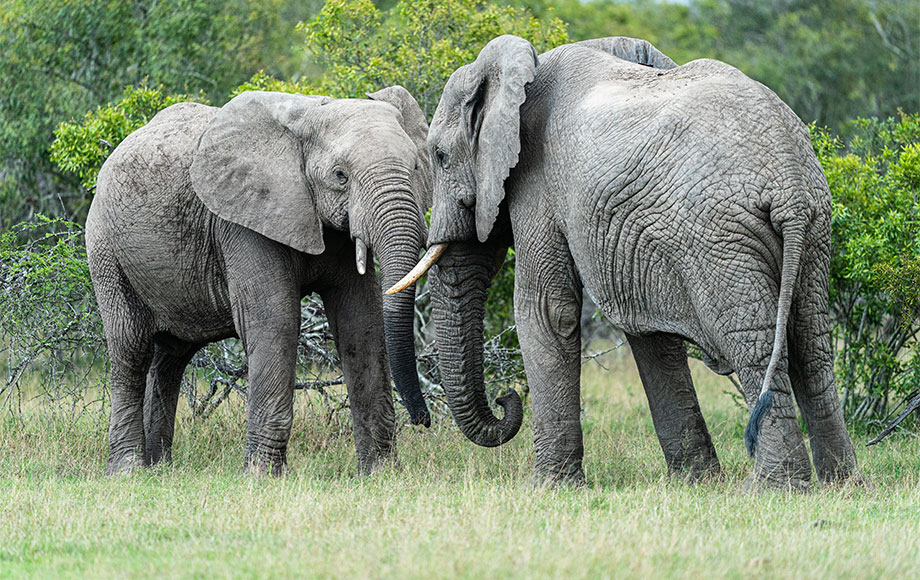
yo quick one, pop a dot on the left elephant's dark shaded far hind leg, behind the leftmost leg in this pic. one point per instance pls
(162, 396)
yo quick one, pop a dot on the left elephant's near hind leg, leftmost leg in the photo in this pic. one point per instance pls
(128, 326)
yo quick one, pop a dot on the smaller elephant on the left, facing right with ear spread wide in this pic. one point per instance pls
(210, 223)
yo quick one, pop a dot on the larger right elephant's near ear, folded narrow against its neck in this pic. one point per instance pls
(492, 116)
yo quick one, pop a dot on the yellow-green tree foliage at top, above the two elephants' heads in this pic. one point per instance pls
(417, 44)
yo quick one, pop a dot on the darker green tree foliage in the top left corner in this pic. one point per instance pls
(61, 59)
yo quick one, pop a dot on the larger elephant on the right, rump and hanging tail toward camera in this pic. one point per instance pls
(673, 195)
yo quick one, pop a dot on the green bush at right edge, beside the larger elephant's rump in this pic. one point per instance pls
(874, 291)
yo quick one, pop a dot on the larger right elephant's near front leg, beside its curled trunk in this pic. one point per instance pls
(547, 299)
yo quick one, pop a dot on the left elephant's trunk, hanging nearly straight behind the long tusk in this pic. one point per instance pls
(397, 237)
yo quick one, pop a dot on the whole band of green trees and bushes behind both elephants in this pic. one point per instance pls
(851, 67)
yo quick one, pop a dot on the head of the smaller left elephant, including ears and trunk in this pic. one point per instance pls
(289, 166)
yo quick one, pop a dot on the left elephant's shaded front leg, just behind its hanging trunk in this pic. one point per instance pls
(356, 320)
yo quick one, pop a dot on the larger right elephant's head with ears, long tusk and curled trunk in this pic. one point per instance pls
(475, 142)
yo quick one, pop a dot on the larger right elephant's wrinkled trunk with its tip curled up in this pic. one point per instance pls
(459, 284)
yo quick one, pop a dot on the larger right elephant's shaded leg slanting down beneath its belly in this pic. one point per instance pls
(662, 363)
